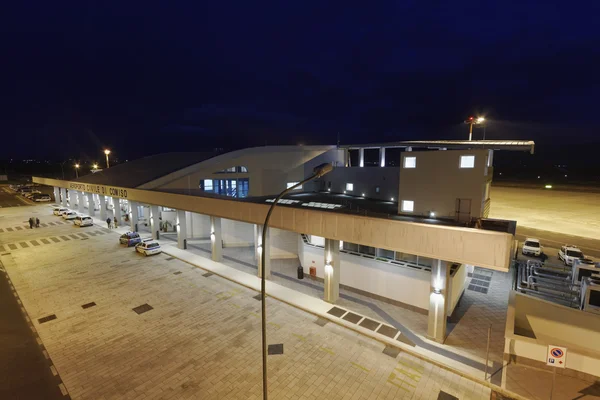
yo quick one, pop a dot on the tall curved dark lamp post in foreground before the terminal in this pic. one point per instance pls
(318, 172)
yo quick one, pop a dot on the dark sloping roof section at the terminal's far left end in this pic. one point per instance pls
(135, 173)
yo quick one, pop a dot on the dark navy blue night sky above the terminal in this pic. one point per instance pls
(147, 77)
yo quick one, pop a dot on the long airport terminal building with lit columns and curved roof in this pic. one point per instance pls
(406, 228)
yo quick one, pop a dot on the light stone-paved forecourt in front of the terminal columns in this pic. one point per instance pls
(202, 337)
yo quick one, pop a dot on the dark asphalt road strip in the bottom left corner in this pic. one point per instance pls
(24, 371)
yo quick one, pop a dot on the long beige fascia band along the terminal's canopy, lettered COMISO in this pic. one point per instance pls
(487, 249)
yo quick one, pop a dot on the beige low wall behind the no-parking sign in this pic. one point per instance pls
(533, 324)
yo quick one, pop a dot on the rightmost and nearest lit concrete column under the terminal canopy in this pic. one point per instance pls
(440, 276)
